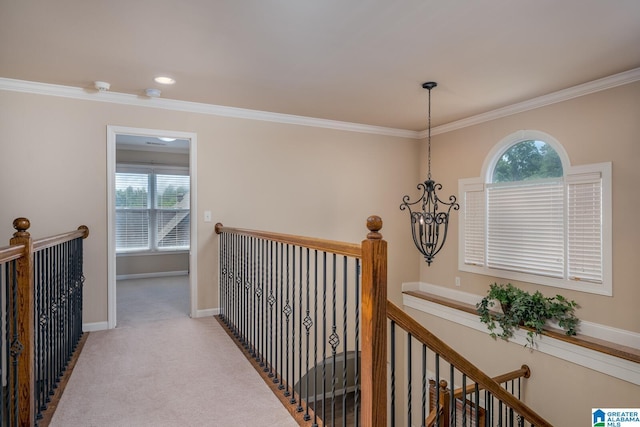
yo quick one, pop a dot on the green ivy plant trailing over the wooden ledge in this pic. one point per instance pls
(520, 308)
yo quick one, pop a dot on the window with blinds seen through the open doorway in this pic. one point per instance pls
(152, 209)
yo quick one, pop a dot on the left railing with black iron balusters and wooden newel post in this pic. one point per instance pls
(41, 309)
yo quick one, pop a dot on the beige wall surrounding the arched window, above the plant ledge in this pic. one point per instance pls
(601, 127)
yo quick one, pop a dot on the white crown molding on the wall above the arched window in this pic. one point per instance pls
(605, 83)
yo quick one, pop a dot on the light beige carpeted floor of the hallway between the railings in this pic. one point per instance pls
(166, 371)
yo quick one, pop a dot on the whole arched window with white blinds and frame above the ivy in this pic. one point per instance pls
(533, 217)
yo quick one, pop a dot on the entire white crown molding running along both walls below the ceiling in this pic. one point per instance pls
(605, 83)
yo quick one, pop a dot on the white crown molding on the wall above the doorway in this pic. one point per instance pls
(195, 107)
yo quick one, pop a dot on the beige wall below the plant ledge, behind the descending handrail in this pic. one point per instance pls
(562, 392)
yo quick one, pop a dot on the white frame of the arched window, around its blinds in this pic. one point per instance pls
(476, 188)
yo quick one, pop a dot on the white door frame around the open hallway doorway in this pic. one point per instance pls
(112, 132)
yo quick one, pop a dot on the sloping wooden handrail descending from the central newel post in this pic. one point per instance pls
(416, 330)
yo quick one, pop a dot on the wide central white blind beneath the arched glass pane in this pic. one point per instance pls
(525, 227)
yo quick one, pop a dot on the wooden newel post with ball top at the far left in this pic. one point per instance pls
(23, 347)
